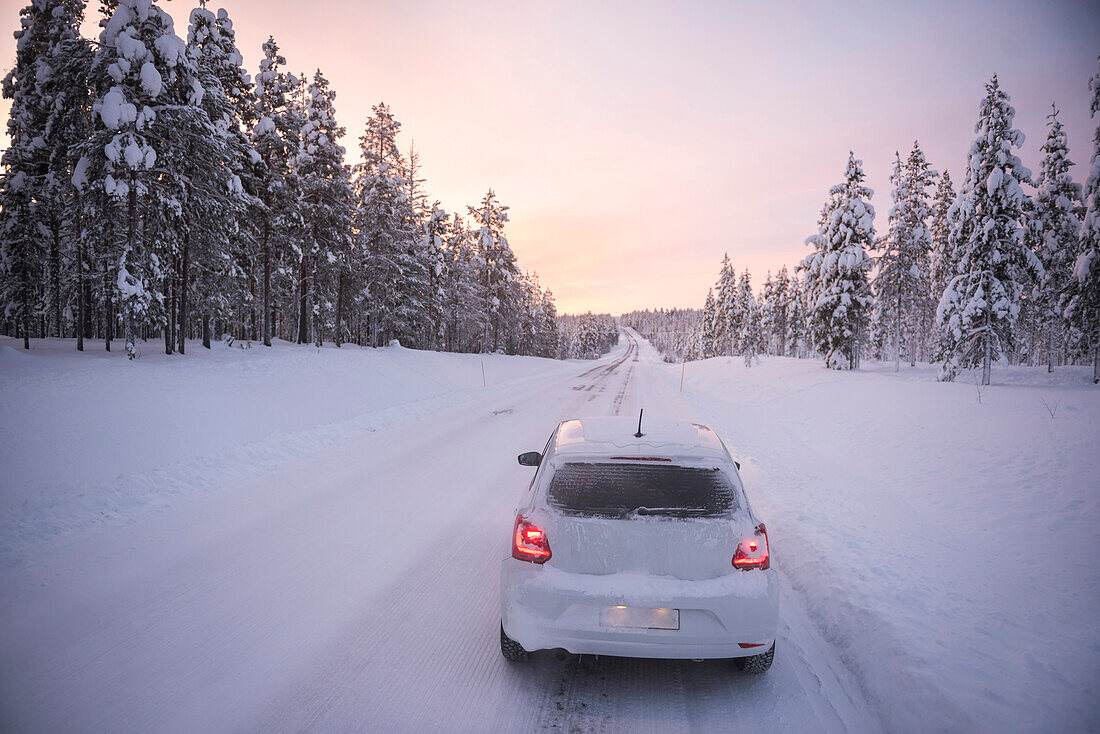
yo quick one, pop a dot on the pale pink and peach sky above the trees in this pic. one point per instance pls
(636, 143)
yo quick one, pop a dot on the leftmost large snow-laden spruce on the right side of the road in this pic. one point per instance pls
(837, 272)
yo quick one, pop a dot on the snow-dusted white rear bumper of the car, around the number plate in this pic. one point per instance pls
(544, 608)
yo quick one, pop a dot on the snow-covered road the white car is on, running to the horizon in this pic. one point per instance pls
(357, 590)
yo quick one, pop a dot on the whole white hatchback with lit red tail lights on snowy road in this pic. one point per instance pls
(639, 544)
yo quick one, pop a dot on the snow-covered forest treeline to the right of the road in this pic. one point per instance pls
(993, 272)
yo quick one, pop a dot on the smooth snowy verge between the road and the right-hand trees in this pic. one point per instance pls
(945, 546)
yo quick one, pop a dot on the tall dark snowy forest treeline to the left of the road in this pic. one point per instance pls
(155, 189)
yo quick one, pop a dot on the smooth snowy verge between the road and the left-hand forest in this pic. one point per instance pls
(89, 440)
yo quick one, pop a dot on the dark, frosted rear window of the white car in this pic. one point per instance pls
(614, 490)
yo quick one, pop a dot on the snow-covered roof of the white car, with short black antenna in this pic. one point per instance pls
(617, 435)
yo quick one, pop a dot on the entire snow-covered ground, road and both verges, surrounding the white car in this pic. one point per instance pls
(284, 540)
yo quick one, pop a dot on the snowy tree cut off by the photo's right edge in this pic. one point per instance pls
(1083, 298)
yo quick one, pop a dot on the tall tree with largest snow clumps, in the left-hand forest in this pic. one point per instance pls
(147, 87)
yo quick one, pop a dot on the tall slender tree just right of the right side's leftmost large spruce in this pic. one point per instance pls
(901, 278)
